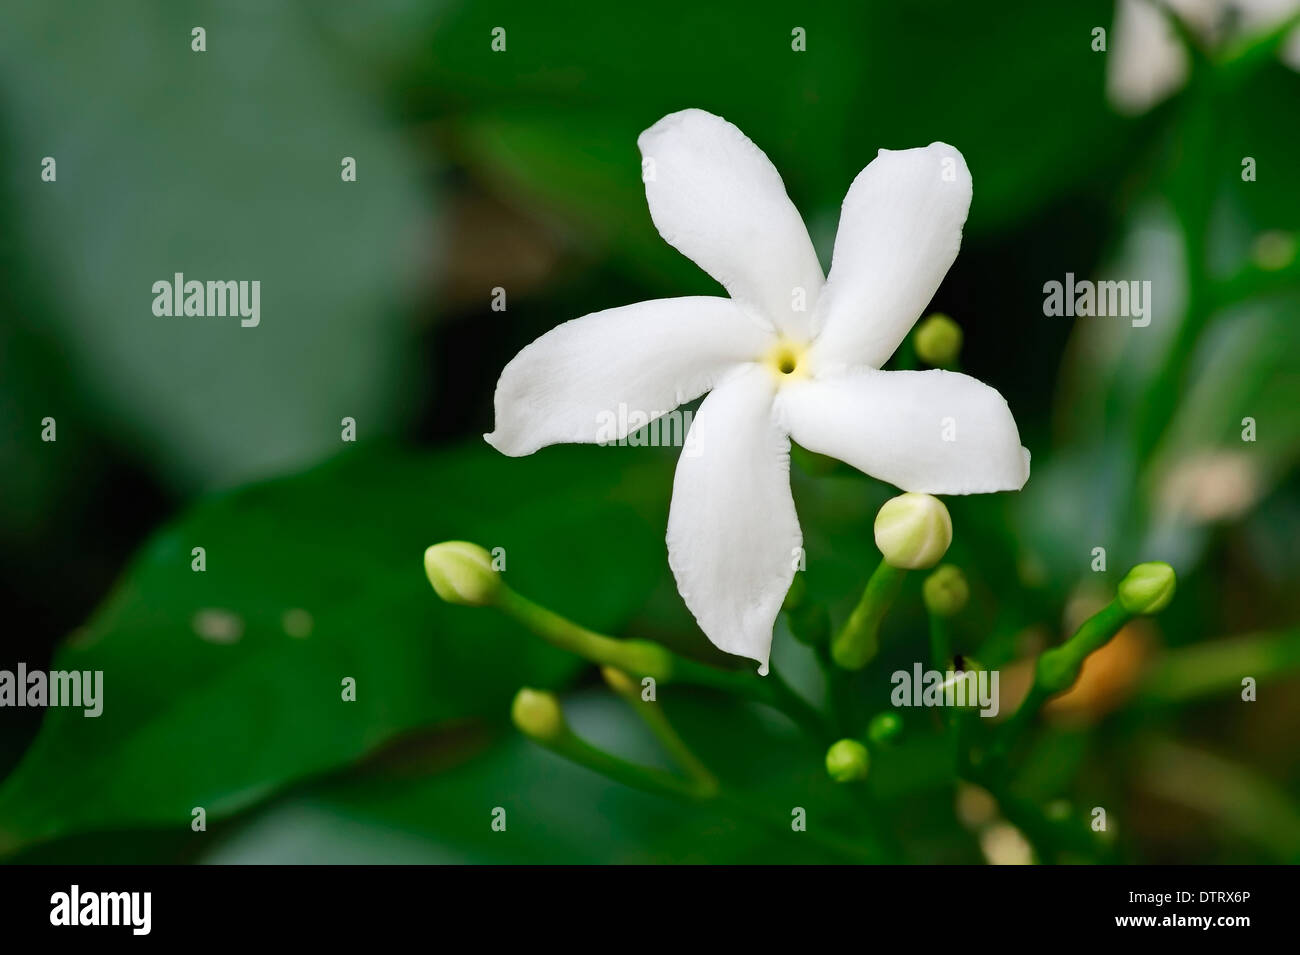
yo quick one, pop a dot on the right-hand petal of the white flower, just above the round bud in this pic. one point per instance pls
(928, 432)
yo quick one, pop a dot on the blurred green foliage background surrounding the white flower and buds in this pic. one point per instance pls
(521, 170)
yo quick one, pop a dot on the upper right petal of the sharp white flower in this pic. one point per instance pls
(900, 231)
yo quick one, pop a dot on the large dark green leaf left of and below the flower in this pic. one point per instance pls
(220, 720)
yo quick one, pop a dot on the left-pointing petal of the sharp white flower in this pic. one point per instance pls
(606, 375)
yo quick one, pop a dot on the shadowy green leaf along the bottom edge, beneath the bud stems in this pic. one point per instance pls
(557, 813)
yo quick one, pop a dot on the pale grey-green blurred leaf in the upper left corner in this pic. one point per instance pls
(223, 166)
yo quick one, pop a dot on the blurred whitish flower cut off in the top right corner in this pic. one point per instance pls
(1149, 62)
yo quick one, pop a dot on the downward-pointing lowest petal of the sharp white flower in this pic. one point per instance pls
(733, 533)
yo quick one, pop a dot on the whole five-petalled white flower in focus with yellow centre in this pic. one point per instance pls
(788, 355)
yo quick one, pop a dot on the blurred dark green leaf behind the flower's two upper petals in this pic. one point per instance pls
(558, 118)
